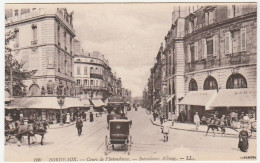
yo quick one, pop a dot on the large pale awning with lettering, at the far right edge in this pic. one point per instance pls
(235, 98)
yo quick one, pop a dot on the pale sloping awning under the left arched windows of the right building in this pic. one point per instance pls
(199, 98)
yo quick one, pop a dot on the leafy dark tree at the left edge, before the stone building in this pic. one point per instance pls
(14, 72)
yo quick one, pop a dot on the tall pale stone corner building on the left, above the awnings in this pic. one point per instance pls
(43, 43)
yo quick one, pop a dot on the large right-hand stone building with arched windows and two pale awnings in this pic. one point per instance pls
(220, 60)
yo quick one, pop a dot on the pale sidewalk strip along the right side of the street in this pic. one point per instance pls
(202, 128)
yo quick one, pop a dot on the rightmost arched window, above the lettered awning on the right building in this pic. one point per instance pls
(236, 81)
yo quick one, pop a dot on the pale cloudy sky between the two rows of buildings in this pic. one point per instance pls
(129, 35)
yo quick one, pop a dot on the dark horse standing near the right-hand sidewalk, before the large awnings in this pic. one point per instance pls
(213, 125)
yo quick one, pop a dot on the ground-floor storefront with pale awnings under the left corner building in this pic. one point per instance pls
(44, 108)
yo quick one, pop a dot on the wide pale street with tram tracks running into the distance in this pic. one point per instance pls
(64, 143)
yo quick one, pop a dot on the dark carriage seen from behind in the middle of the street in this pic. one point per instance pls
(119, 134)
